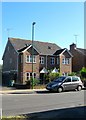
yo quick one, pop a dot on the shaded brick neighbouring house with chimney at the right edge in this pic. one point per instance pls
(79, 58)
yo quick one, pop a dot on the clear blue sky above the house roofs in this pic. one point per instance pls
(56, 22)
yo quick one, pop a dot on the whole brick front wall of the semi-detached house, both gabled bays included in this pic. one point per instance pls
(37, 67)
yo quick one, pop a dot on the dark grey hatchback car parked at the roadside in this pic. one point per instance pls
(64, 83)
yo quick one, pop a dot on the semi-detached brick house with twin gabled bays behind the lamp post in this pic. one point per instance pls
(17, 59)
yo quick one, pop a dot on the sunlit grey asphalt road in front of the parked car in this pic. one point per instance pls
(14, 104)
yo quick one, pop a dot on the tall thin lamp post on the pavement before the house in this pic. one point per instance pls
(32, 53)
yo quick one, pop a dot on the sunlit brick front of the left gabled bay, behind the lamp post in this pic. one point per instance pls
(27, 67)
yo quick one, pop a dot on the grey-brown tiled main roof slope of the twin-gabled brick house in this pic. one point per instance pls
(44, 48)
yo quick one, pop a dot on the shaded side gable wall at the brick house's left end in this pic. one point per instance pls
(9, 58)
